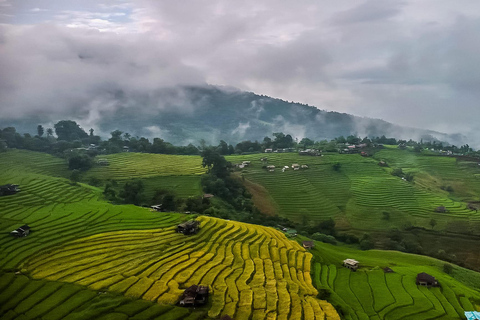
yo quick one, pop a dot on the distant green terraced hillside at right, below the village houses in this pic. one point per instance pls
(360, 191)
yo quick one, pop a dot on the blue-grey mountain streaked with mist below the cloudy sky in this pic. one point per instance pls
(186, 114)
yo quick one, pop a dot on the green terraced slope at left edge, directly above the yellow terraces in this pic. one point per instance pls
(57, 211)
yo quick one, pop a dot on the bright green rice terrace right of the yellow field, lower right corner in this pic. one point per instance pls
(370, 293)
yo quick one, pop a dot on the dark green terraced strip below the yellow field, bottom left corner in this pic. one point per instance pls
(23, 298)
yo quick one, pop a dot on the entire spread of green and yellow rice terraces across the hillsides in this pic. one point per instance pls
(86, 258)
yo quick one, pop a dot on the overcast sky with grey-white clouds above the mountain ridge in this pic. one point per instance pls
(410, 62)
